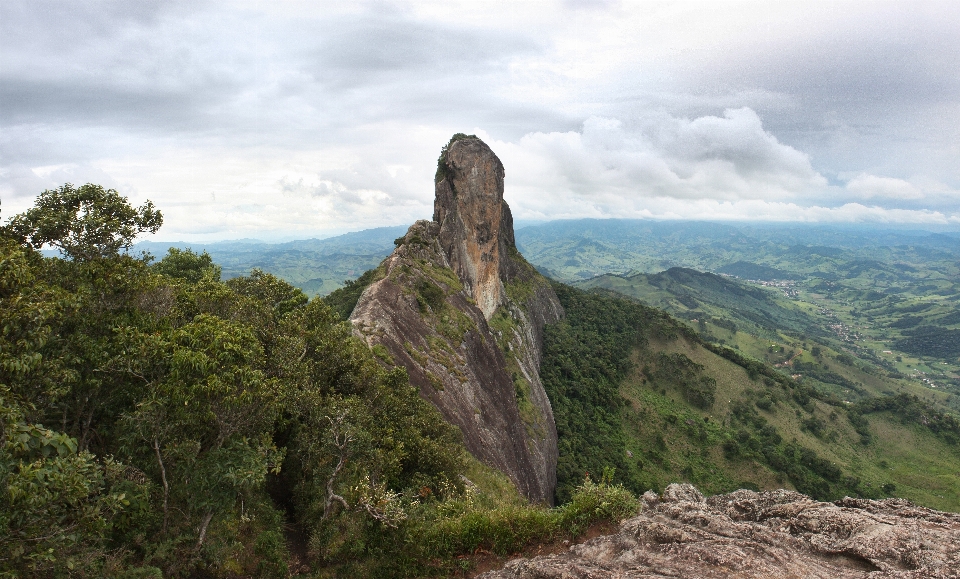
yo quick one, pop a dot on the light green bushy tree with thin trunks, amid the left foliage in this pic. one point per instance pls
(207, 419)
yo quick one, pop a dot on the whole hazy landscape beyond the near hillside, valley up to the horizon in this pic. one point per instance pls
(882, 305)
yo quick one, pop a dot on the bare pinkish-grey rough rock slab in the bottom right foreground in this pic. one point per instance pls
(777, 534)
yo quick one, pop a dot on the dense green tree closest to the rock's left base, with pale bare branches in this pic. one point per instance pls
(359, 436)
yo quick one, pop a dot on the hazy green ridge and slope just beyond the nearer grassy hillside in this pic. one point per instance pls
(775, 325)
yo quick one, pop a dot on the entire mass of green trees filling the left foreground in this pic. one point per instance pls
(179, 399)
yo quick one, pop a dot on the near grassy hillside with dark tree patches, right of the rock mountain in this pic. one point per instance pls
(706, 414)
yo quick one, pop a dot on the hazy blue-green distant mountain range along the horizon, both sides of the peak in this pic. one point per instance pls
(580, 249)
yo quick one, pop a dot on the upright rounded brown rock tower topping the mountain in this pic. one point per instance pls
(476, 226)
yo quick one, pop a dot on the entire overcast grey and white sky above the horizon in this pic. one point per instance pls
(283, 120)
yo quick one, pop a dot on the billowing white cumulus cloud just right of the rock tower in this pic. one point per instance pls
(608, 163)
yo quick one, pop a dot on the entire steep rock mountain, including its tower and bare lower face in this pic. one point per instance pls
(458, 306)
